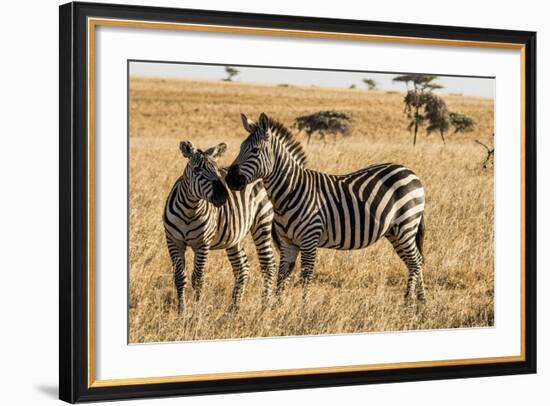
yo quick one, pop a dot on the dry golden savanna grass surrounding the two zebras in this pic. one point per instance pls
(353, 291)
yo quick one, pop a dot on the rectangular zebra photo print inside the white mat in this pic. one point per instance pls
(273, 201)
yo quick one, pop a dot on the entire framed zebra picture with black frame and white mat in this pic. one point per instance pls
(258, 202)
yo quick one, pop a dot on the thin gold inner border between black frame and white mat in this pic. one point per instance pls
(93, 22)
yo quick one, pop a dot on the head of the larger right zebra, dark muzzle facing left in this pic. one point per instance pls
(255, 159)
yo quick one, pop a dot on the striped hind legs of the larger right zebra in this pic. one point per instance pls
(408, 252)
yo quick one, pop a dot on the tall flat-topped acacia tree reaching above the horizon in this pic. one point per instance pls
(417, 98)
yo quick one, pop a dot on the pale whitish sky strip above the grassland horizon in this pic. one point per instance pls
(470, 86)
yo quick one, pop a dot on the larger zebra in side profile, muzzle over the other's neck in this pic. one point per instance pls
(316, 210)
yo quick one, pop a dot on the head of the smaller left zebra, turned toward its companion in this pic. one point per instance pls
(202, 174)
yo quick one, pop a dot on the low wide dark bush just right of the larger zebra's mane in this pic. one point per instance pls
(324, 122)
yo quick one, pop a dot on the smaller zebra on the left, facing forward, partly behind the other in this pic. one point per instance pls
(201, 214)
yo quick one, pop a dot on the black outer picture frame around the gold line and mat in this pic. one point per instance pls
(73, 284)
